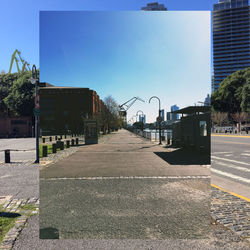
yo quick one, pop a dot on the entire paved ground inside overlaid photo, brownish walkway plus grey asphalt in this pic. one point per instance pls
(124, 188)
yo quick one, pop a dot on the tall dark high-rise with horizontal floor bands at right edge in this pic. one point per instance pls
(231, 38)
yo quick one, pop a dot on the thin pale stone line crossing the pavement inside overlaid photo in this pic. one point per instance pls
(128, 177)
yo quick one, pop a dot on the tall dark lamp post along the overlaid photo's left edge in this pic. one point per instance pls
(34, 80)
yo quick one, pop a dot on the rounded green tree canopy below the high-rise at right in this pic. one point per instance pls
(233, 94)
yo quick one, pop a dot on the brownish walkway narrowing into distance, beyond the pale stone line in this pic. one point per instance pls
(122, 154)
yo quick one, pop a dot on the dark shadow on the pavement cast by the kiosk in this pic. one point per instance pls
(185, 157)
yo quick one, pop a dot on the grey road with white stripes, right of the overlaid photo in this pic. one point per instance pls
(230, 158)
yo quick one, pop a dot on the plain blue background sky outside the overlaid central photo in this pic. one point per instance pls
(20, 20)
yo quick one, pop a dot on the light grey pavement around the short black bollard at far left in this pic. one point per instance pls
(25, 146)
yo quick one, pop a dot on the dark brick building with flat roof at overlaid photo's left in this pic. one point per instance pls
(63, 109)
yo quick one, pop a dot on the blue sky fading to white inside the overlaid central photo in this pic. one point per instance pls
(128, 53)
